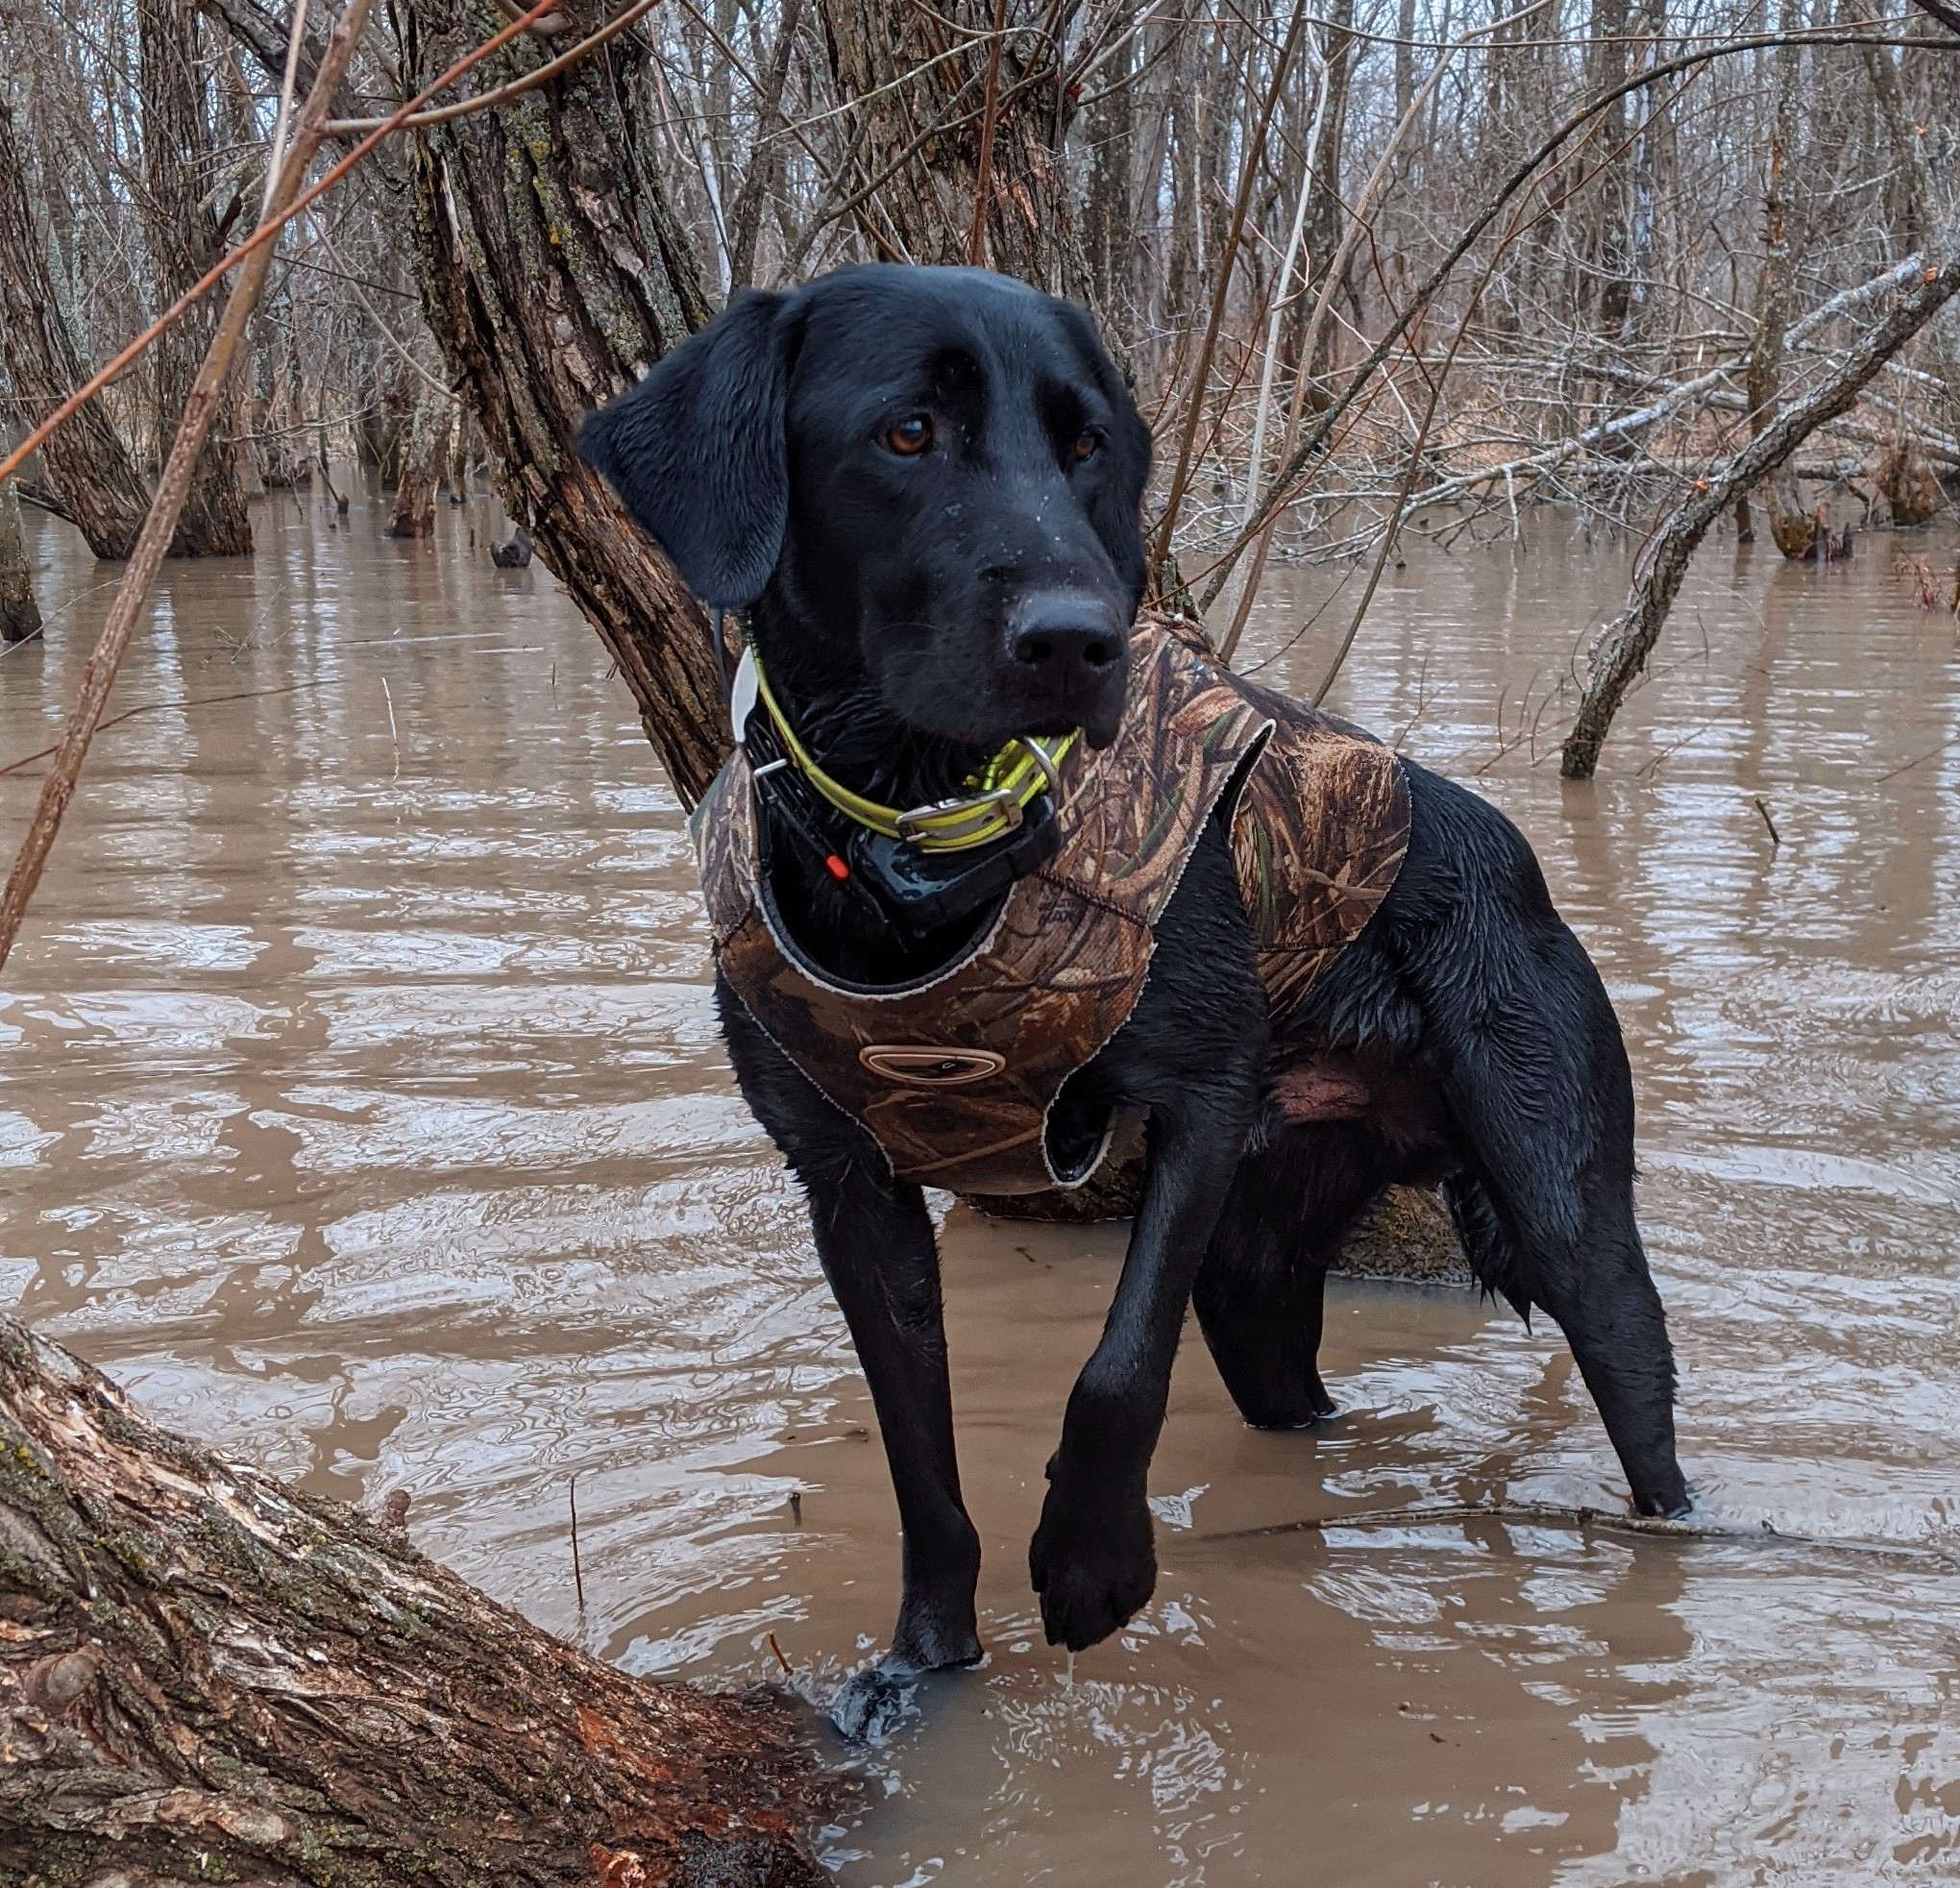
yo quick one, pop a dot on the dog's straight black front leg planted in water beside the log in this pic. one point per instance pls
(879, 1254)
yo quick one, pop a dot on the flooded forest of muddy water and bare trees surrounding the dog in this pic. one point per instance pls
(432, 1448)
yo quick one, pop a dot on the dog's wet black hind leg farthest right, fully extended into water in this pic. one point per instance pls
(1545, 1209)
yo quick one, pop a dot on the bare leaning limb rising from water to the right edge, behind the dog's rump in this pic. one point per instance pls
(1626, 644)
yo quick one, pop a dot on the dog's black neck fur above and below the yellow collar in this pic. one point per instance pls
(850, 732)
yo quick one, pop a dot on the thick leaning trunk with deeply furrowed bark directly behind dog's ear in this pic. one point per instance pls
(552, 273)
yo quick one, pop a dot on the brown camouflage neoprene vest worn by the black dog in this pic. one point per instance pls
(954, 1077)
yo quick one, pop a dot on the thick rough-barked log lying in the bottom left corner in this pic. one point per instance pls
(211, 1677)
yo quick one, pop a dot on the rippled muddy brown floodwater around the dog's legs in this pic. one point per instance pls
(362, 1109)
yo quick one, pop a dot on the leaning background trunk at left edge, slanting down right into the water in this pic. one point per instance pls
(87, 464)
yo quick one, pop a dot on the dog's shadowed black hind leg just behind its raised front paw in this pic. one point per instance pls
(1259, 1291)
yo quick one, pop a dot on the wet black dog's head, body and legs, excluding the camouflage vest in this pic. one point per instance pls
(924, 485)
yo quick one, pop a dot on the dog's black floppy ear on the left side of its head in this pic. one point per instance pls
(699, 456)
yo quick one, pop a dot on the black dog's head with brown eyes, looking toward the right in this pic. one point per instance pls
(932, 473)
